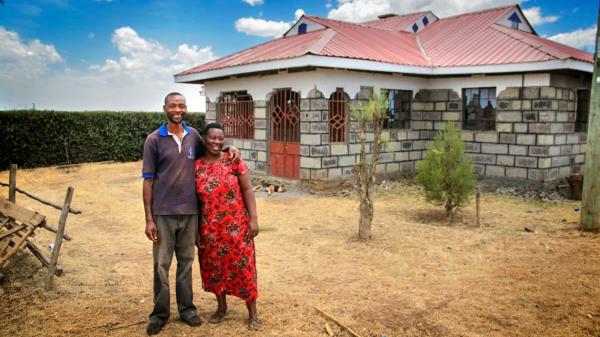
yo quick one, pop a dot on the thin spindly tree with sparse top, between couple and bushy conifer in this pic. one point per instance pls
(374, 112)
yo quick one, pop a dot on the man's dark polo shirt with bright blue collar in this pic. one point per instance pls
(173, 189)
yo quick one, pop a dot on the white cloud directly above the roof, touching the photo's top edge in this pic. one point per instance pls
(364, 10)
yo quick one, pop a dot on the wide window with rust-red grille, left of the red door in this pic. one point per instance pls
(235, 112)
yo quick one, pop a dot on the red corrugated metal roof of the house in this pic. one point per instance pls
(471, 39)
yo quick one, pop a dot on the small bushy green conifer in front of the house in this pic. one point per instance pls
(446, 173)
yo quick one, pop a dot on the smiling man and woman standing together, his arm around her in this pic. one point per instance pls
(179, 170)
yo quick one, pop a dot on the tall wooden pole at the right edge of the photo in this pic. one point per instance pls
(590, 201)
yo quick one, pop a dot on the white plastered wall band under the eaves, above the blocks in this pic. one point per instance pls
(327, 80)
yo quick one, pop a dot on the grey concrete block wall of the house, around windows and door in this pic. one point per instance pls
(534, 137)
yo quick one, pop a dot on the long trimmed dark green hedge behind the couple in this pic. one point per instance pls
(34, 138)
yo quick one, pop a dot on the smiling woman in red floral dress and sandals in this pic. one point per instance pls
(227, 228)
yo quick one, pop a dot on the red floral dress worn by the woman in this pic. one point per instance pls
(227, 263)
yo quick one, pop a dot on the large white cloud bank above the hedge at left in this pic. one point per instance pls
(136, 80)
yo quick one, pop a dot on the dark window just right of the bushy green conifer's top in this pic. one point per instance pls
(479, 109)
